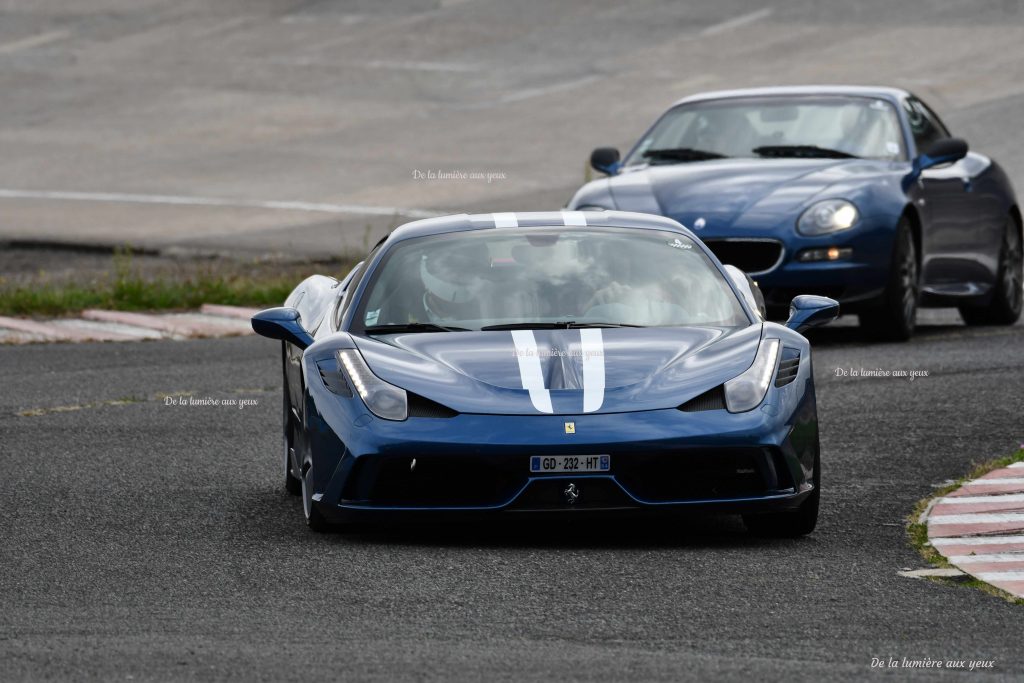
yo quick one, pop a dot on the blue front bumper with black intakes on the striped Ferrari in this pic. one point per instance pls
(660, 460)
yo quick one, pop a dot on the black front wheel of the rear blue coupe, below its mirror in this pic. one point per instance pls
(895, 318)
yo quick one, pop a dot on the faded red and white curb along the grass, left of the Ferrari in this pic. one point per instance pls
(96, 325)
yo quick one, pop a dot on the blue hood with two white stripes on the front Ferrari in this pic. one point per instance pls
(489, 372)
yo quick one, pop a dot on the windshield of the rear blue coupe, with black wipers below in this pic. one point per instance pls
(774, 127)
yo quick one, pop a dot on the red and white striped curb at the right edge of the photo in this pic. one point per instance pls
(979, 529)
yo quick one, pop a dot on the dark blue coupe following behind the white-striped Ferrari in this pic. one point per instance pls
(859, 194)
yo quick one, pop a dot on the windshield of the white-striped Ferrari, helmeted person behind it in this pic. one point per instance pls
(509, 278)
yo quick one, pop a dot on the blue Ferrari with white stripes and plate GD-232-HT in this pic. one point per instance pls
(558, 363)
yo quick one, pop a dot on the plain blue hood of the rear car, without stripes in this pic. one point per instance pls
(722, 191)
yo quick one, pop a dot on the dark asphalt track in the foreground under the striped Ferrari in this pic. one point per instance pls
(148, 541)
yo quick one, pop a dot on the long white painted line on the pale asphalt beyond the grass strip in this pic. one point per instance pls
(181, 200)
